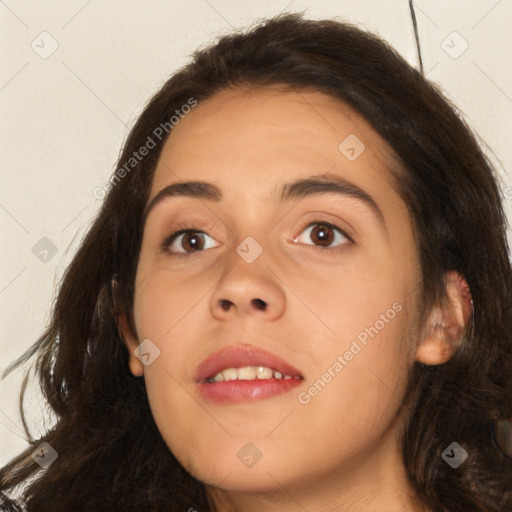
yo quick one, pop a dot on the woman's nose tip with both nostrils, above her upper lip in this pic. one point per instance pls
(248, 289)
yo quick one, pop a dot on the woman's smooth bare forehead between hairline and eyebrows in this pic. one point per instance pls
(260, 135)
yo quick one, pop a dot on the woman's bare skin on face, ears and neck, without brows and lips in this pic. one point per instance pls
(340, 451)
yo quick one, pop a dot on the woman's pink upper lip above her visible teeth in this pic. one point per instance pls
(240, 356)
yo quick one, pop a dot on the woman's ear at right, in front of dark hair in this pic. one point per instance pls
(445, 325)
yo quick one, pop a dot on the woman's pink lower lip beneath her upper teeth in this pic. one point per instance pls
(237, 391)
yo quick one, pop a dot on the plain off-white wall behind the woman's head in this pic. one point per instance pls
(76, 74)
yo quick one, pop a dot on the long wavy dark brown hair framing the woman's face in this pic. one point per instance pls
(110, 453)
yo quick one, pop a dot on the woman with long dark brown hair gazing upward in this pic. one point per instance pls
(295, 297)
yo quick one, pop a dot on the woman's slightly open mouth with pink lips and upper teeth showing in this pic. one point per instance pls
(244, 373)
